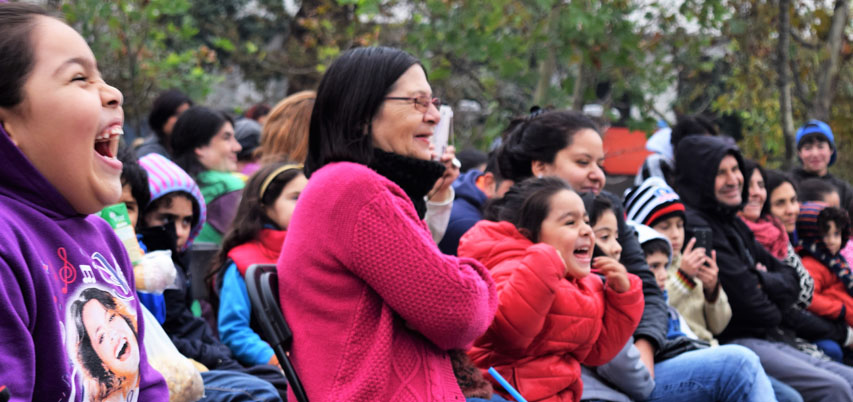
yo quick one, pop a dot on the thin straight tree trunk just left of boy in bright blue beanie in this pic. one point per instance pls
(783, 59)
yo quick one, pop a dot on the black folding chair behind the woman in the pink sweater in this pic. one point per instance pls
(262, 286)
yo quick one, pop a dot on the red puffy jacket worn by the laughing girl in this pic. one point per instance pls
(546, 325)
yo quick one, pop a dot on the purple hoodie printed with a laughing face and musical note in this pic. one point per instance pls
(64, 276)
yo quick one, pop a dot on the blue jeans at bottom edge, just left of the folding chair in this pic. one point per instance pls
(232, 386)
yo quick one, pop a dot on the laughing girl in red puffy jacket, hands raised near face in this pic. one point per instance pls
(552, 314)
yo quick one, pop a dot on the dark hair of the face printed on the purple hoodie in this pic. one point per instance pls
(86, 354)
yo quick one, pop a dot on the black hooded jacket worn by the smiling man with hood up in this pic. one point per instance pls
(758, 298)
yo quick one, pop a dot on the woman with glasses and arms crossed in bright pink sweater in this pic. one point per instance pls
(373, 304)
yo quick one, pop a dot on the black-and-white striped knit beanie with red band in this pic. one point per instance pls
(652, 202)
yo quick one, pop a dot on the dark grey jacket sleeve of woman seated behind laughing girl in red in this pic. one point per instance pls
(653, 324)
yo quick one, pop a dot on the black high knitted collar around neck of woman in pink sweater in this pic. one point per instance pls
(415, 176)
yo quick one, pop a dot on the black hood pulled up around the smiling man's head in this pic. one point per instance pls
(696, 161)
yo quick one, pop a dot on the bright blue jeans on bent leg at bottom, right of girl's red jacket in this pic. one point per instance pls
(725, 373)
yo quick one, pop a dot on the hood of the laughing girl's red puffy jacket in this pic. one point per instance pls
(493, 242)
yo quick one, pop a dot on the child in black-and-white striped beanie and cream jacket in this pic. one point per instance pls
(692, 282)
